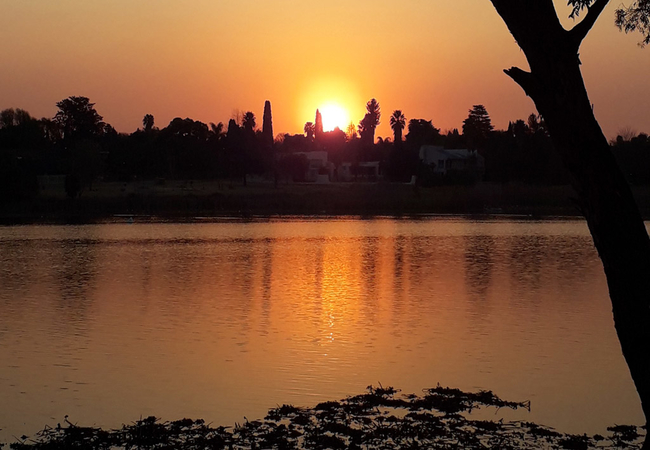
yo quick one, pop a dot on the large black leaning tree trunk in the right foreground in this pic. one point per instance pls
(556, 86)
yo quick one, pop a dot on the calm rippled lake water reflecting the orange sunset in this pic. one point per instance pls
(108, 323)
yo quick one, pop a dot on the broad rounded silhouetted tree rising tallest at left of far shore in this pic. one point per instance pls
(78, 118)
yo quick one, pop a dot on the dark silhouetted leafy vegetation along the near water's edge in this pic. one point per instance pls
(378, 419)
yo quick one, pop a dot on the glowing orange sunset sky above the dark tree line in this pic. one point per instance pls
(205, 59)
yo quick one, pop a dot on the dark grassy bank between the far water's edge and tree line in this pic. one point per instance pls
(175, 200)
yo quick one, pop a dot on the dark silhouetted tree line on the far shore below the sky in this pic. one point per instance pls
(77, 143)
